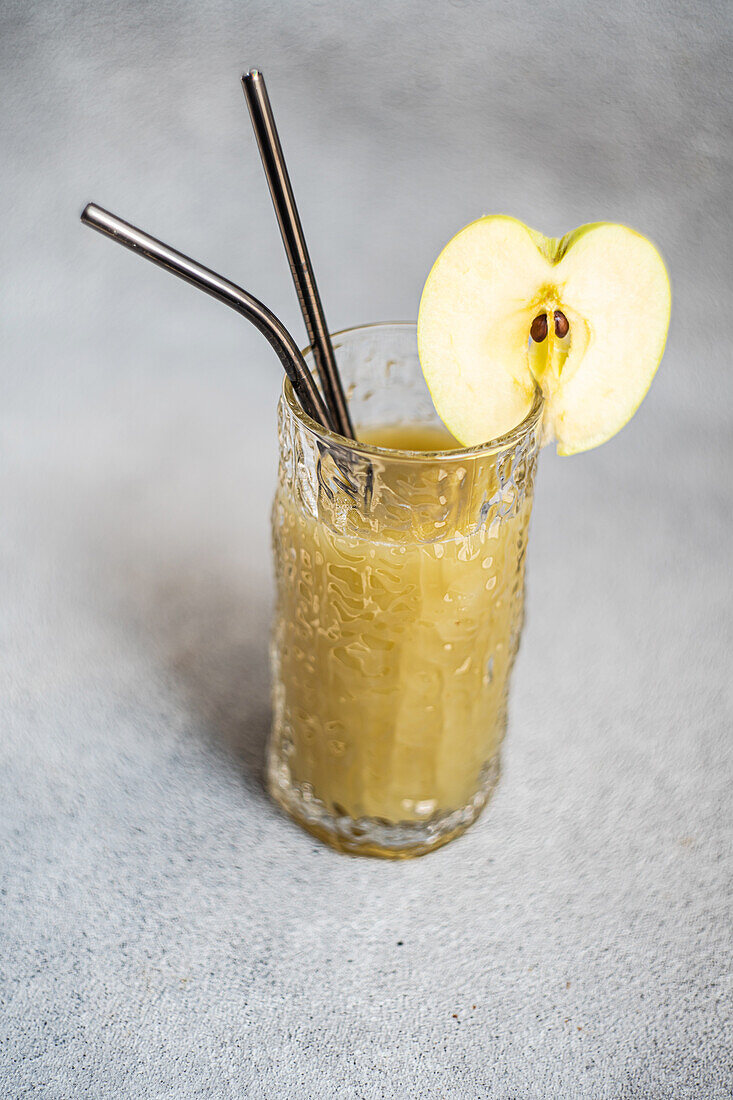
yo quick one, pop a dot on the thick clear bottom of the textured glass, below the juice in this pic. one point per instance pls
(374, 837)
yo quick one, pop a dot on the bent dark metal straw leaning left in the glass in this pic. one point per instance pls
(266, 322)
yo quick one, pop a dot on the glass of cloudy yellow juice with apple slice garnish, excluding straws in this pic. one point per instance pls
(400, 557)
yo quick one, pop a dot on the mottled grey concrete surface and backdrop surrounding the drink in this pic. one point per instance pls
(165, 931)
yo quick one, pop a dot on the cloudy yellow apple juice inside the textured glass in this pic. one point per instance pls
(393, 656)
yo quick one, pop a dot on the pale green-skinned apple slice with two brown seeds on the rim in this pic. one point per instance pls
(506, 310)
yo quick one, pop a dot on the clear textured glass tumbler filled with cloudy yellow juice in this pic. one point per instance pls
(400, 589)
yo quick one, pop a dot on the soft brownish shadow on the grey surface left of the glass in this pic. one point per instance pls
(205, 622)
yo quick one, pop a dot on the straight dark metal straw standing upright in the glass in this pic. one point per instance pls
(273, 162)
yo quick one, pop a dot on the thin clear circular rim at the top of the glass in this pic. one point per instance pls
(500, 443)
